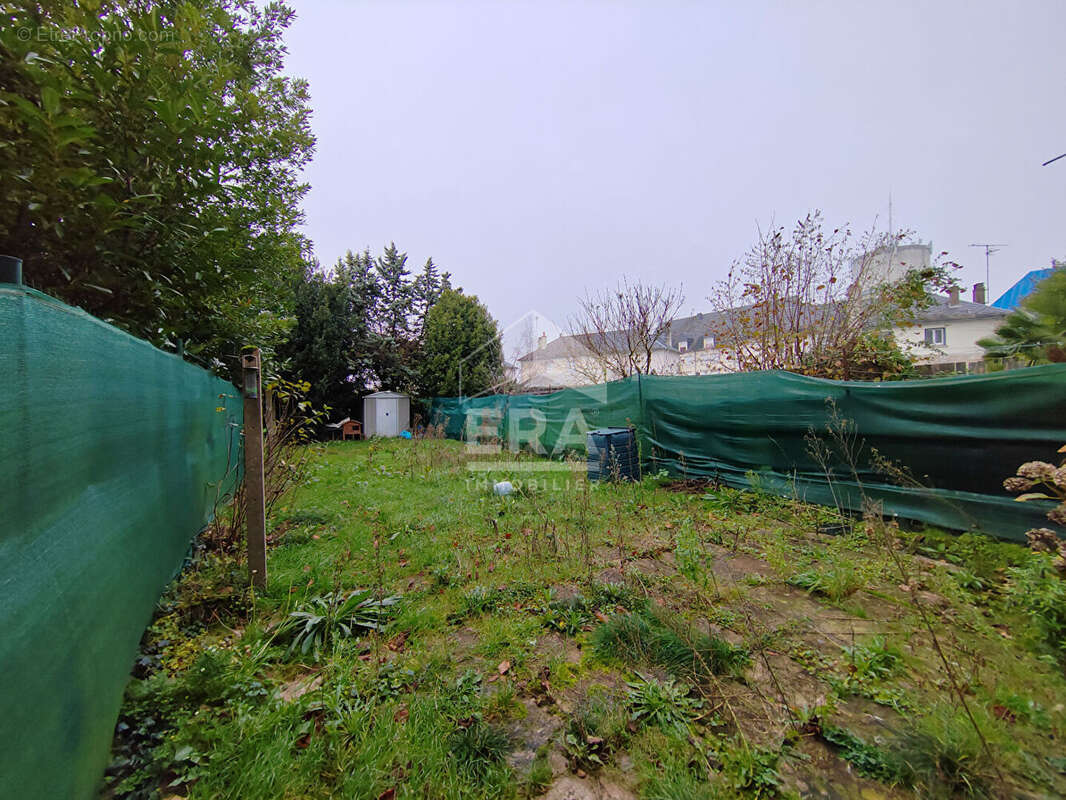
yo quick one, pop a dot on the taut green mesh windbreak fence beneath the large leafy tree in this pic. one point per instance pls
(111, 457)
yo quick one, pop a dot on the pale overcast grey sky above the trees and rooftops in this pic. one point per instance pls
(535, 150)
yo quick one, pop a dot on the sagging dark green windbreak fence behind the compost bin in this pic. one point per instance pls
(948, 443)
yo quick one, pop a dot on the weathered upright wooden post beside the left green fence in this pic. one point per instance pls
(255, 495)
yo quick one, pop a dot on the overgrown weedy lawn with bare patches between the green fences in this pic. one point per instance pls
(520, 622)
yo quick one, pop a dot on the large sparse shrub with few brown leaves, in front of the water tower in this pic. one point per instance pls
(814, 302)
